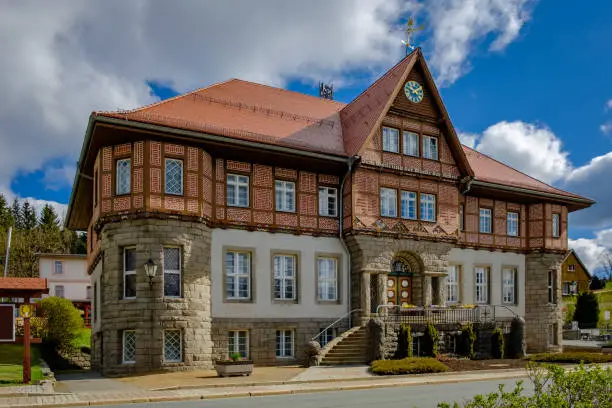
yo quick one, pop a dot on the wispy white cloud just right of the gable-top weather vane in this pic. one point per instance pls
(459, 25)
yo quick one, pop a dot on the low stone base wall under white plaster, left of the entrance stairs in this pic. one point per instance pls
(262, 337)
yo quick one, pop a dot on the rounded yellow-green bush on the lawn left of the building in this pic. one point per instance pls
(64, 322)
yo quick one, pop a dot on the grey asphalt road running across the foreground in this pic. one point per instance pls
(423, 396)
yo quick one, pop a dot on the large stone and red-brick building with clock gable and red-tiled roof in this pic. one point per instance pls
(245, 218)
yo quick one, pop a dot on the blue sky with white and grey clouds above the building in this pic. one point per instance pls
(526, 82)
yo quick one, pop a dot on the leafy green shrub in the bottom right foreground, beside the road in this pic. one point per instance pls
(553, 387)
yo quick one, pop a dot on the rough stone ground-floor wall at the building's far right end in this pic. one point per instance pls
(541, 316)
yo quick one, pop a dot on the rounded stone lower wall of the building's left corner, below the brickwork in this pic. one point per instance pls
(150, 313)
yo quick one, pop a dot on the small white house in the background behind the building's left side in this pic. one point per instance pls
(67, 277)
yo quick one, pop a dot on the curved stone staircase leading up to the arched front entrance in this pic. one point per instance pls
(352, 348)
